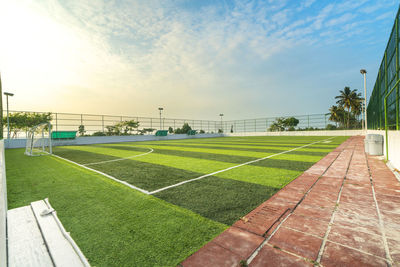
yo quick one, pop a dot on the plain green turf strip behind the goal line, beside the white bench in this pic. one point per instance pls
(112, 224)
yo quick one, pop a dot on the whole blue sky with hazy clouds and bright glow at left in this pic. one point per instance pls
(196, 59)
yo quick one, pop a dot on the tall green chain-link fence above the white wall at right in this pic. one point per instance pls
(383, 106)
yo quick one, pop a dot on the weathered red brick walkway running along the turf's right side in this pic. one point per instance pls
(343, 211)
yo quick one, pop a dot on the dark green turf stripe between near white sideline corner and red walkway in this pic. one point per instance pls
(222, 200)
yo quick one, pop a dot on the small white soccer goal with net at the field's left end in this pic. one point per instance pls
(38, 141)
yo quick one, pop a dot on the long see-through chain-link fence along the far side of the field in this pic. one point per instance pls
(91, 124)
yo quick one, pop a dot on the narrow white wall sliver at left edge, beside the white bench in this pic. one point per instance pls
(3, 207)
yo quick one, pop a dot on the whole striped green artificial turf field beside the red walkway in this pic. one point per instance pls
(115, 225)
